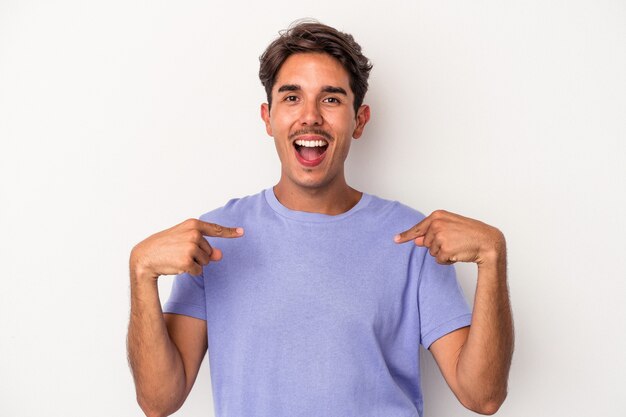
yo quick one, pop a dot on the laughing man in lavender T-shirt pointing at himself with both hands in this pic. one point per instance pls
(318, 309)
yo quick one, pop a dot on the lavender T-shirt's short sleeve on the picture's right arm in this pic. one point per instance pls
(442, 306)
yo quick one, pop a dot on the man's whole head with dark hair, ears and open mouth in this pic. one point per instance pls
(312, 75)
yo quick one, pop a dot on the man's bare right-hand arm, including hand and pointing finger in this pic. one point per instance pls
(474, 360)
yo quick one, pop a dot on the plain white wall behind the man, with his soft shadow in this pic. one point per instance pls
(122, 118)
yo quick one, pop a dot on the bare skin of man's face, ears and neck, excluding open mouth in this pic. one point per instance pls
(321, 189)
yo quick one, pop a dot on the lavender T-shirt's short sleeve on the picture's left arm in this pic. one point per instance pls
(187, 297)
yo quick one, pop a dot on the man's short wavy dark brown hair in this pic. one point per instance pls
(310, 37)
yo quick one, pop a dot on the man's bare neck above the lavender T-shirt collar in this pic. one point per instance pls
(325, 200)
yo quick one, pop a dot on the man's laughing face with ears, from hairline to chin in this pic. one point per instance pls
(312, 120)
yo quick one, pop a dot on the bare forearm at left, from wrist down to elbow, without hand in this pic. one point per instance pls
(154, 359)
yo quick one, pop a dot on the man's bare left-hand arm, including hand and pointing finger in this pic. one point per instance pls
(165, 351)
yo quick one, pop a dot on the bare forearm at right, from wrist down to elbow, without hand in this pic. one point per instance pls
(485, 359)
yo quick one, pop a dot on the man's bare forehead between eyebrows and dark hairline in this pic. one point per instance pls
(313, 70)
